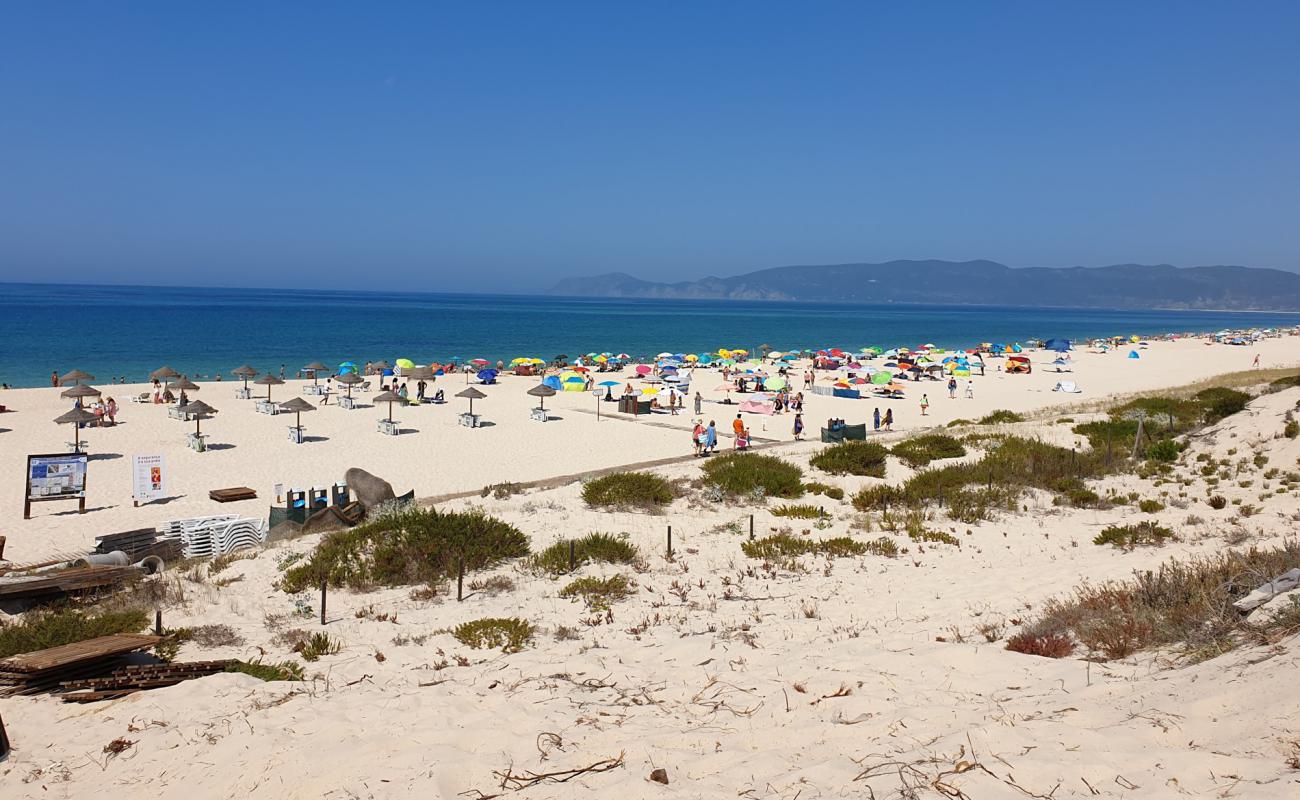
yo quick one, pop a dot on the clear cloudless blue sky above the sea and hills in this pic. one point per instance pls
(501, 146)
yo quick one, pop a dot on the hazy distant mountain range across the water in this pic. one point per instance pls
(977, 284)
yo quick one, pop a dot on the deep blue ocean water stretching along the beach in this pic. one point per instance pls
(131, 331)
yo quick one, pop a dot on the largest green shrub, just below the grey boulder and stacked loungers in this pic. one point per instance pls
(408, 547)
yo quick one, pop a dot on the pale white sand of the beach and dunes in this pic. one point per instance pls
(856, 678)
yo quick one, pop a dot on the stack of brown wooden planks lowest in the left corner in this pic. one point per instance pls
(47, 671)
